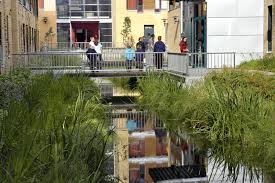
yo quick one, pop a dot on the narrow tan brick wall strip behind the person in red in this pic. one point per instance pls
(173, 28)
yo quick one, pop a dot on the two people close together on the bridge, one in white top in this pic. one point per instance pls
(94, 53)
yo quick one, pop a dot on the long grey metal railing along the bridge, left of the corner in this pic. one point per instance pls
(81, 61)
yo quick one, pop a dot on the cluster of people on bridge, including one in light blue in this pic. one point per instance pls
(154, 52)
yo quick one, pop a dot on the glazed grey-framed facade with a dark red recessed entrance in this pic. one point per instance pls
(78, 20)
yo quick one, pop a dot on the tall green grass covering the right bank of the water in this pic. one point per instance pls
(229, 114)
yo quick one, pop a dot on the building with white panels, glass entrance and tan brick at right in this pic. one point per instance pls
(221, 26)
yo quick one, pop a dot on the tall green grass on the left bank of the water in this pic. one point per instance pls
(57, 132)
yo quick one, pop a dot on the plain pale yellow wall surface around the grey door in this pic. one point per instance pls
(138, 20)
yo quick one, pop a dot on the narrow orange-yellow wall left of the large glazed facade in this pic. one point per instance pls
(48, 13)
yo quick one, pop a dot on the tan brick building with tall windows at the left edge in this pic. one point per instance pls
(18, 28)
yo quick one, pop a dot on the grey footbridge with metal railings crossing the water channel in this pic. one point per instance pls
(114, 64)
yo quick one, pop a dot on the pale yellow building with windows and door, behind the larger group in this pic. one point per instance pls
(147, 18)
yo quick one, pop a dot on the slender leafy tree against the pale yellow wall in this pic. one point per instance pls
(126, 32)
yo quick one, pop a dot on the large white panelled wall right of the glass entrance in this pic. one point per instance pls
(235, 26)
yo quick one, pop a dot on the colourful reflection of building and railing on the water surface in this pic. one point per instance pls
(142, 144)
